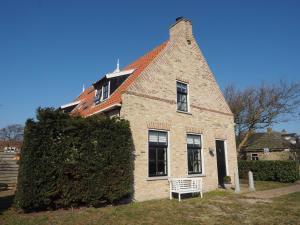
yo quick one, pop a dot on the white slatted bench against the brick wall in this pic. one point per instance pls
(185, 186)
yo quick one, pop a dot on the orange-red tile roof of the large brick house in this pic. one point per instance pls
(87, 107)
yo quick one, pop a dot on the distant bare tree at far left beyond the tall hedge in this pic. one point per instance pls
(12, 132)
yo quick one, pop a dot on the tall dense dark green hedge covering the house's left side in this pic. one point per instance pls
(71, 161)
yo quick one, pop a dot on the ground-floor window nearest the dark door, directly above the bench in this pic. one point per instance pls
(194, 154)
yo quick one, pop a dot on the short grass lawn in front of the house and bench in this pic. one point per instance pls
(217, 207)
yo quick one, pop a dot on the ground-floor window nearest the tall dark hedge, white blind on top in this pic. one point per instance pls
(158, 146)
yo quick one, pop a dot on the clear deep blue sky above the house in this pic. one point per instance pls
(48, 49)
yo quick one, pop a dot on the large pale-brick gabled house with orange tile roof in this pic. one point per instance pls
(180, 121)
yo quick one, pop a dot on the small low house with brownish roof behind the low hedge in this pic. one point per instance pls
(271, 145)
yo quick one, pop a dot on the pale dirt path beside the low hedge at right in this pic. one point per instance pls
(274, 192)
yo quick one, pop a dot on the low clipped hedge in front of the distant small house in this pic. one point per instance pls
(282, 171)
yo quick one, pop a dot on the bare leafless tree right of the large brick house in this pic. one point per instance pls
(259, 107)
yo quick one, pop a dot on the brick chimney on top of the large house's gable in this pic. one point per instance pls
(182, 28)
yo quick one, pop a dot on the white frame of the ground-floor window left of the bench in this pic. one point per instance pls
(168, 157)
